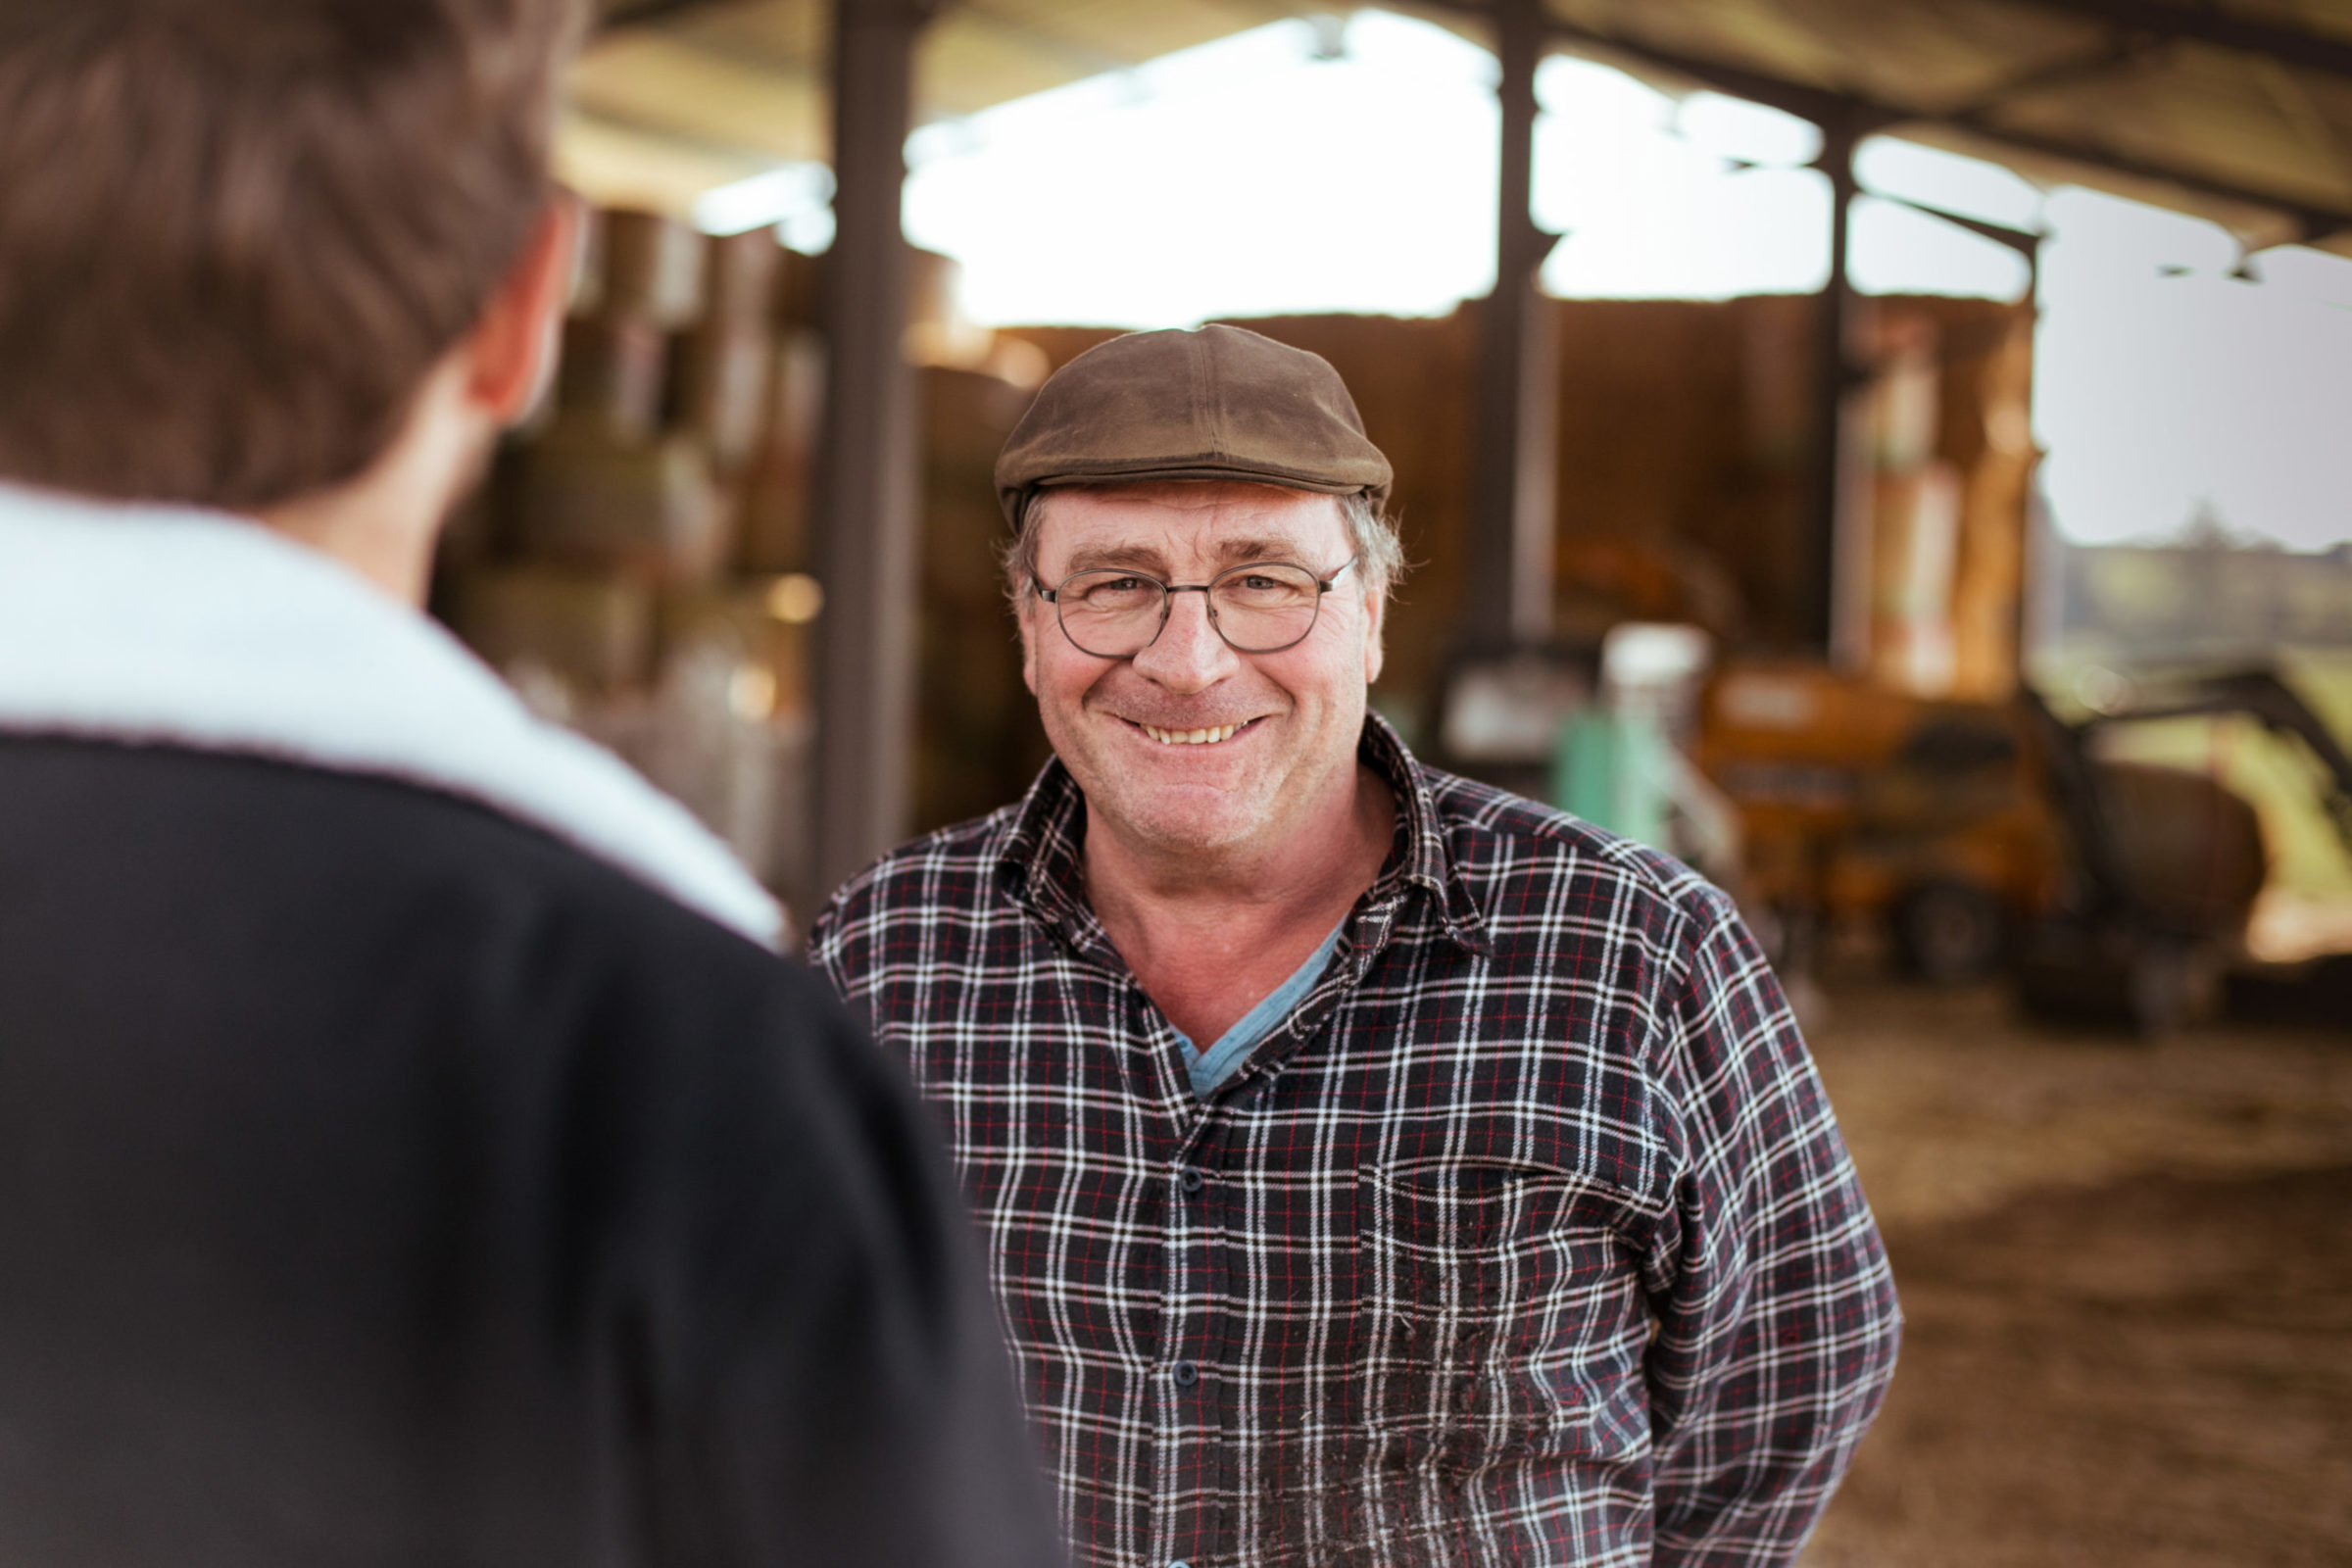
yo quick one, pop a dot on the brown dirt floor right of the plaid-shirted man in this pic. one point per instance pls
(2127, 1278)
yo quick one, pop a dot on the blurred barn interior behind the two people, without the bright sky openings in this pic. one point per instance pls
(2050, 845)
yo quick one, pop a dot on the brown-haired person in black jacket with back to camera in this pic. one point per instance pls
(413, 1151)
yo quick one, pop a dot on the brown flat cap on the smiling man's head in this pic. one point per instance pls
(1220, 403)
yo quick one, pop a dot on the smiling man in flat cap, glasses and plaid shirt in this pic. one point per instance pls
(1379, 1170)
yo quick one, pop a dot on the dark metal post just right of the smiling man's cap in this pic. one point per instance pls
(1518, 377)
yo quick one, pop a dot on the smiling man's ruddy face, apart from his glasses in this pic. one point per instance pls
(1297, 713)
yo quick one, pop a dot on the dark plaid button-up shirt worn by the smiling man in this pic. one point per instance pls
(1525, 1240)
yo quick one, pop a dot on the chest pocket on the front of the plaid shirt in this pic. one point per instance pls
(1502, 1318)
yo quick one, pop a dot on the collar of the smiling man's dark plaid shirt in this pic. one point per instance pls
(1038, 857)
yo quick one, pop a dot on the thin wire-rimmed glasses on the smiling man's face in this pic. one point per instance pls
(1259, 608)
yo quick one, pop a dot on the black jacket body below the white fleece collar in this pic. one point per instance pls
(389, 1181)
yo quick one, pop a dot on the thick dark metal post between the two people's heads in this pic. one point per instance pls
(869, 462)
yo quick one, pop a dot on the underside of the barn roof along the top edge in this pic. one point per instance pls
(2233, 109)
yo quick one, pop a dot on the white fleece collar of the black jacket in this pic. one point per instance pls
(192, 629)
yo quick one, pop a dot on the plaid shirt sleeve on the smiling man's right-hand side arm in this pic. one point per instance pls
(1777, 1311)
